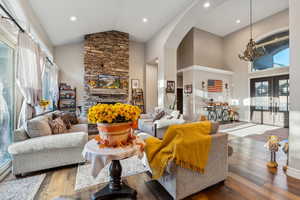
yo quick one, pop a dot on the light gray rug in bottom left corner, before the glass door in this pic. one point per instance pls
(21, 189)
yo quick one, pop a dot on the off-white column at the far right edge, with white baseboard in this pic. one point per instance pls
(294, 135)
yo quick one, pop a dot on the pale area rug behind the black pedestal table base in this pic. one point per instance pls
(130, 166)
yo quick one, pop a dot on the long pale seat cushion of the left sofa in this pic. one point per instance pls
(49, 143)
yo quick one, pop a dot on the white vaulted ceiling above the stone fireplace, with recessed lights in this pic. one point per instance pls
(103, 15)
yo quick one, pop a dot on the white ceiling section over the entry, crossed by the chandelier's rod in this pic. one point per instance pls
(222, 20)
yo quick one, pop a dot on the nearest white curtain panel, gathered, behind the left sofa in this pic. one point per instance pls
(28, 75)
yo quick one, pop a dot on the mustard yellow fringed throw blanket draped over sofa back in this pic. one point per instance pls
(188, 145)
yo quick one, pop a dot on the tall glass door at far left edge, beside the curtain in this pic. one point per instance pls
(6, 102)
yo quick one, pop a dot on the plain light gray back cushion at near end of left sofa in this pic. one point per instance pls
(38, 126)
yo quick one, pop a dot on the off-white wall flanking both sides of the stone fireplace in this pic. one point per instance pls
(70, 59)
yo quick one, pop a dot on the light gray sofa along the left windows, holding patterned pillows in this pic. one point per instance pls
(45, 152)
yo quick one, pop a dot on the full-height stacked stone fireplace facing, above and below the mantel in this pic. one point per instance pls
(105, 53)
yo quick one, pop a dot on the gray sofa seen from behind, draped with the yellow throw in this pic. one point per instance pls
(181, 182)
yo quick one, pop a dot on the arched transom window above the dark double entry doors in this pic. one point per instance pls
(277, 53)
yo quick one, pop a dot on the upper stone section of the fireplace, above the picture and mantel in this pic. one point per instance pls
(107, 53)
